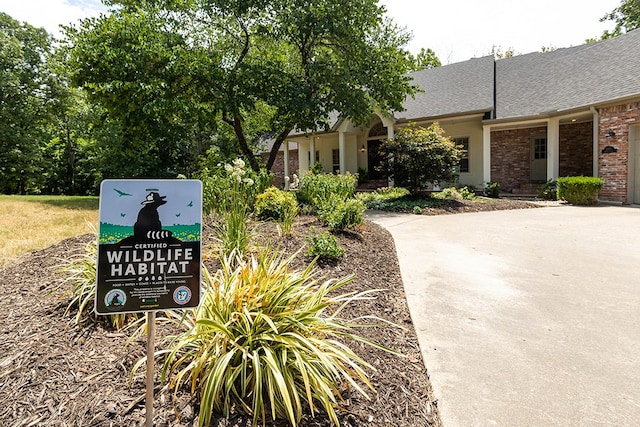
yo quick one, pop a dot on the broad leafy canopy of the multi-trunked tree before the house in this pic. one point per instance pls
(299, 60)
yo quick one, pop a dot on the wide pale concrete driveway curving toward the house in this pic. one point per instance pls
(526, 317)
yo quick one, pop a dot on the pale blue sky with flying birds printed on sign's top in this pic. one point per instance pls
(121, 200)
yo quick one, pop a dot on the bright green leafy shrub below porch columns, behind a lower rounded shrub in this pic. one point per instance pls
(315, 189)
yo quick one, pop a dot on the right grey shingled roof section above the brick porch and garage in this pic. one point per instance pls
(568, 78)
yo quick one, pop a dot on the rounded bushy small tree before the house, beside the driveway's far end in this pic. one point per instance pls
(418, 155)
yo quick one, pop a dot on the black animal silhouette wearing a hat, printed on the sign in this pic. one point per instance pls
(148, 227)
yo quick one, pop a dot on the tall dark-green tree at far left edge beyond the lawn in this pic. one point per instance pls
(25, 83)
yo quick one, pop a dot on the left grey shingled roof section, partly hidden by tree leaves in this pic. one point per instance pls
(459, 88)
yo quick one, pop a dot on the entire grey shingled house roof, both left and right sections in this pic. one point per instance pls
(535, 84)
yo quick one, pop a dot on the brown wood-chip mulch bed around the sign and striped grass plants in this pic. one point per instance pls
(56, 373)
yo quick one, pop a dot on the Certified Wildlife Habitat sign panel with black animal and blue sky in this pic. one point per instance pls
(149, 245)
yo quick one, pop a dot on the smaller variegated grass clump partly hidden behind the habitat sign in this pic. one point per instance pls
(80, 273)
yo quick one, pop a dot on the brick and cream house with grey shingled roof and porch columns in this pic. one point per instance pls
(523, 120)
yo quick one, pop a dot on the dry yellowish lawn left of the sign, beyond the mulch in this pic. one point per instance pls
(29, 223)
